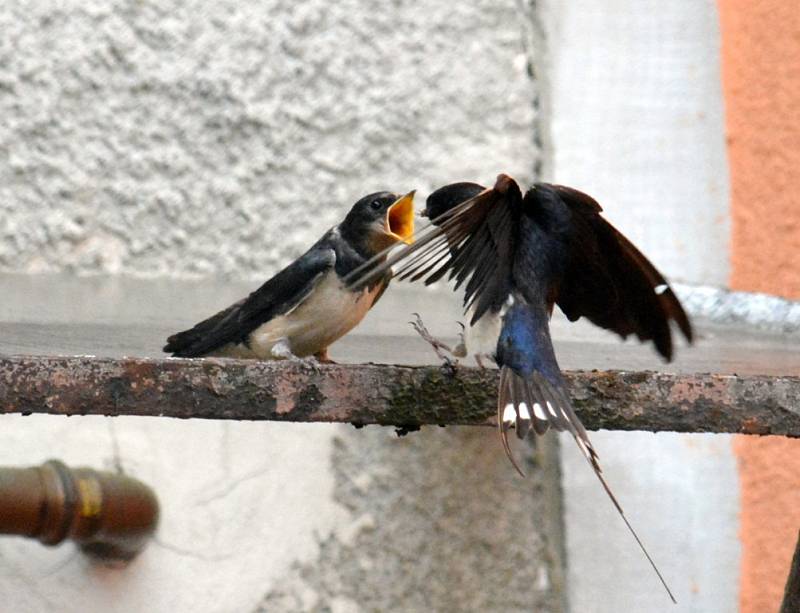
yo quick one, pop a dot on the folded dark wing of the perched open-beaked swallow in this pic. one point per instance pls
(280, 294)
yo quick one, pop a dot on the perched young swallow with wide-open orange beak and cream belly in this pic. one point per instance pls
(307, 306)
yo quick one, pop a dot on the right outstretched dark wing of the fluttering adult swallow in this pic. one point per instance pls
(607, 279)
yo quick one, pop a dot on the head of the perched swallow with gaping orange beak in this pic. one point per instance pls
(380, 220)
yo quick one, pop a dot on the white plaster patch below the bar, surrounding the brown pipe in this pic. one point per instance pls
(231, 521)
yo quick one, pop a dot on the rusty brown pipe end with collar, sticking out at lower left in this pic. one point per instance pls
(109, 515)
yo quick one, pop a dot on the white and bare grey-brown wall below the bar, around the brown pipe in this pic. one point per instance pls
(294, 518)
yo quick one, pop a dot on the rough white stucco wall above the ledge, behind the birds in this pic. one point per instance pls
(187, 138)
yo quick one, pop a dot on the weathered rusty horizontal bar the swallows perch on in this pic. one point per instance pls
(388, 395)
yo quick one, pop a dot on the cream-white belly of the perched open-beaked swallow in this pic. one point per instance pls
(329, 312)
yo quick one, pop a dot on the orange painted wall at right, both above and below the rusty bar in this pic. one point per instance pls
(761, 85)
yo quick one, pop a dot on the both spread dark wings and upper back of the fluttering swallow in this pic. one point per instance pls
(572, 257)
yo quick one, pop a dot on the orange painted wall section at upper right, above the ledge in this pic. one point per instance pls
(761, 85)
